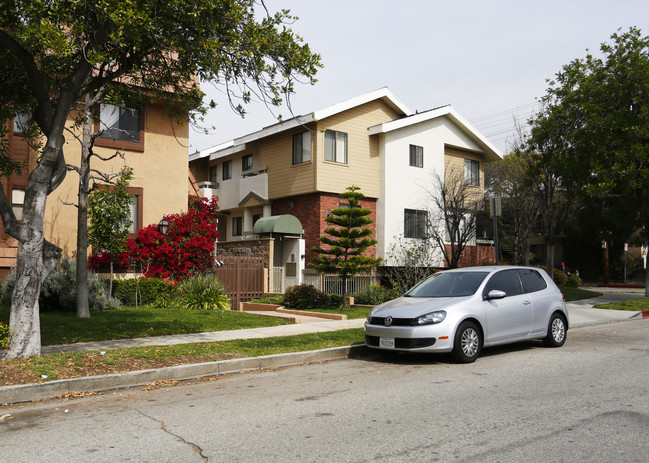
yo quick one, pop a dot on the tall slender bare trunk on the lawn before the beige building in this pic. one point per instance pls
(83, 309)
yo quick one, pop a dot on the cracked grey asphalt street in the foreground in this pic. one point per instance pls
(587, 402)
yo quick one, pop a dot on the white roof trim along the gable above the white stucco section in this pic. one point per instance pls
(447, 111)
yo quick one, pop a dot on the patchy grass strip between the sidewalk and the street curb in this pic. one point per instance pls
(79, 364)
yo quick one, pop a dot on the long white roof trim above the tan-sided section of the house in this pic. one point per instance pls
(238, 144)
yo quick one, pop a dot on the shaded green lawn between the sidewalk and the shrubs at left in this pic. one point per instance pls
(129, 322)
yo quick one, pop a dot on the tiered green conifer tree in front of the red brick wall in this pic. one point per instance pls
(347, 241)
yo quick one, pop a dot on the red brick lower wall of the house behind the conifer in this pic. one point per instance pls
(312, 209)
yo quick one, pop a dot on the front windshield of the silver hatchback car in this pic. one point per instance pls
(451, 284)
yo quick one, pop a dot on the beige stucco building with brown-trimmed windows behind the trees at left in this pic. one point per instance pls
(153, 144)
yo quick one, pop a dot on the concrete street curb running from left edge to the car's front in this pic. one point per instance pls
(50, 389)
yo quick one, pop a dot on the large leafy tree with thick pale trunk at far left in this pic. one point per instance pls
(55, 53)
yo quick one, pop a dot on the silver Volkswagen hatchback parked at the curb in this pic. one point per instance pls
(463, 310)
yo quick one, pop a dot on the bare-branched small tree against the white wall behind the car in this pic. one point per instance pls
(453, 213)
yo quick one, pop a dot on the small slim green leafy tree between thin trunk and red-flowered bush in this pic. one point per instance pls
(110, 218)
